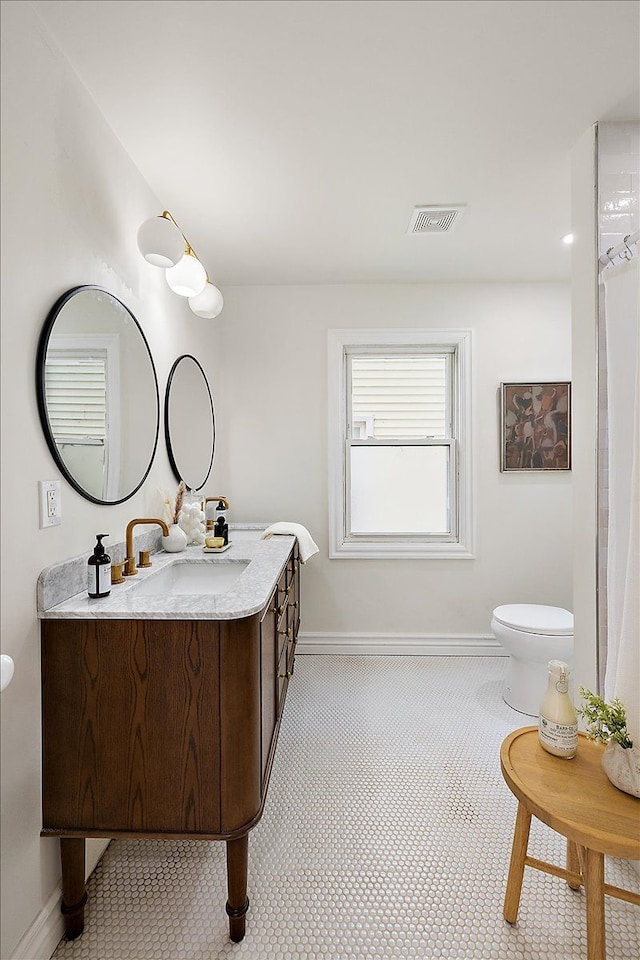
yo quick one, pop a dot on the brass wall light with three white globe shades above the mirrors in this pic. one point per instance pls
(163, 244)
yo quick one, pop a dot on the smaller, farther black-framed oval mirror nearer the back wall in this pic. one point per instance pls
(189, 422)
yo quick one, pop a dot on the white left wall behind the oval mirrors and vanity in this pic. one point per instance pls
(72, 203)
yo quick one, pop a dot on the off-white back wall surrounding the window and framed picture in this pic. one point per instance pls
(275, 401)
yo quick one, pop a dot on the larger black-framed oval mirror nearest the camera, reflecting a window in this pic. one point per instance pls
(98, 396)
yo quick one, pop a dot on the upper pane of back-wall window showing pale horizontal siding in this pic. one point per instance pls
(401, 397)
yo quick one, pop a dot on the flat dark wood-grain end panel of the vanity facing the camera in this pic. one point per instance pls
(130, 726)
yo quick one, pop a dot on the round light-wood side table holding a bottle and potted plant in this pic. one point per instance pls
(575, 798)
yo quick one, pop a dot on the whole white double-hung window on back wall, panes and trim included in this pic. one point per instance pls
(399, 443)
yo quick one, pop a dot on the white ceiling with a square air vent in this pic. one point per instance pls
(291, 139)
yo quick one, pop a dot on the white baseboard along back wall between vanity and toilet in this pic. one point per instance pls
(402, 644)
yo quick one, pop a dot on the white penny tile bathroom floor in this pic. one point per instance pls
(386, 833)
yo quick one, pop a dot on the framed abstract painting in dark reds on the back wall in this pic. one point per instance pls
(535, 426)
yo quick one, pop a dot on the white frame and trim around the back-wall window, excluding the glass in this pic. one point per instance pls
(342, 545)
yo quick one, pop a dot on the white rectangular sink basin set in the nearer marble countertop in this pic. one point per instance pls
(189, 577)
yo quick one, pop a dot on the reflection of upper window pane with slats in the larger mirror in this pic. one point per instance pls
(77, 398)
